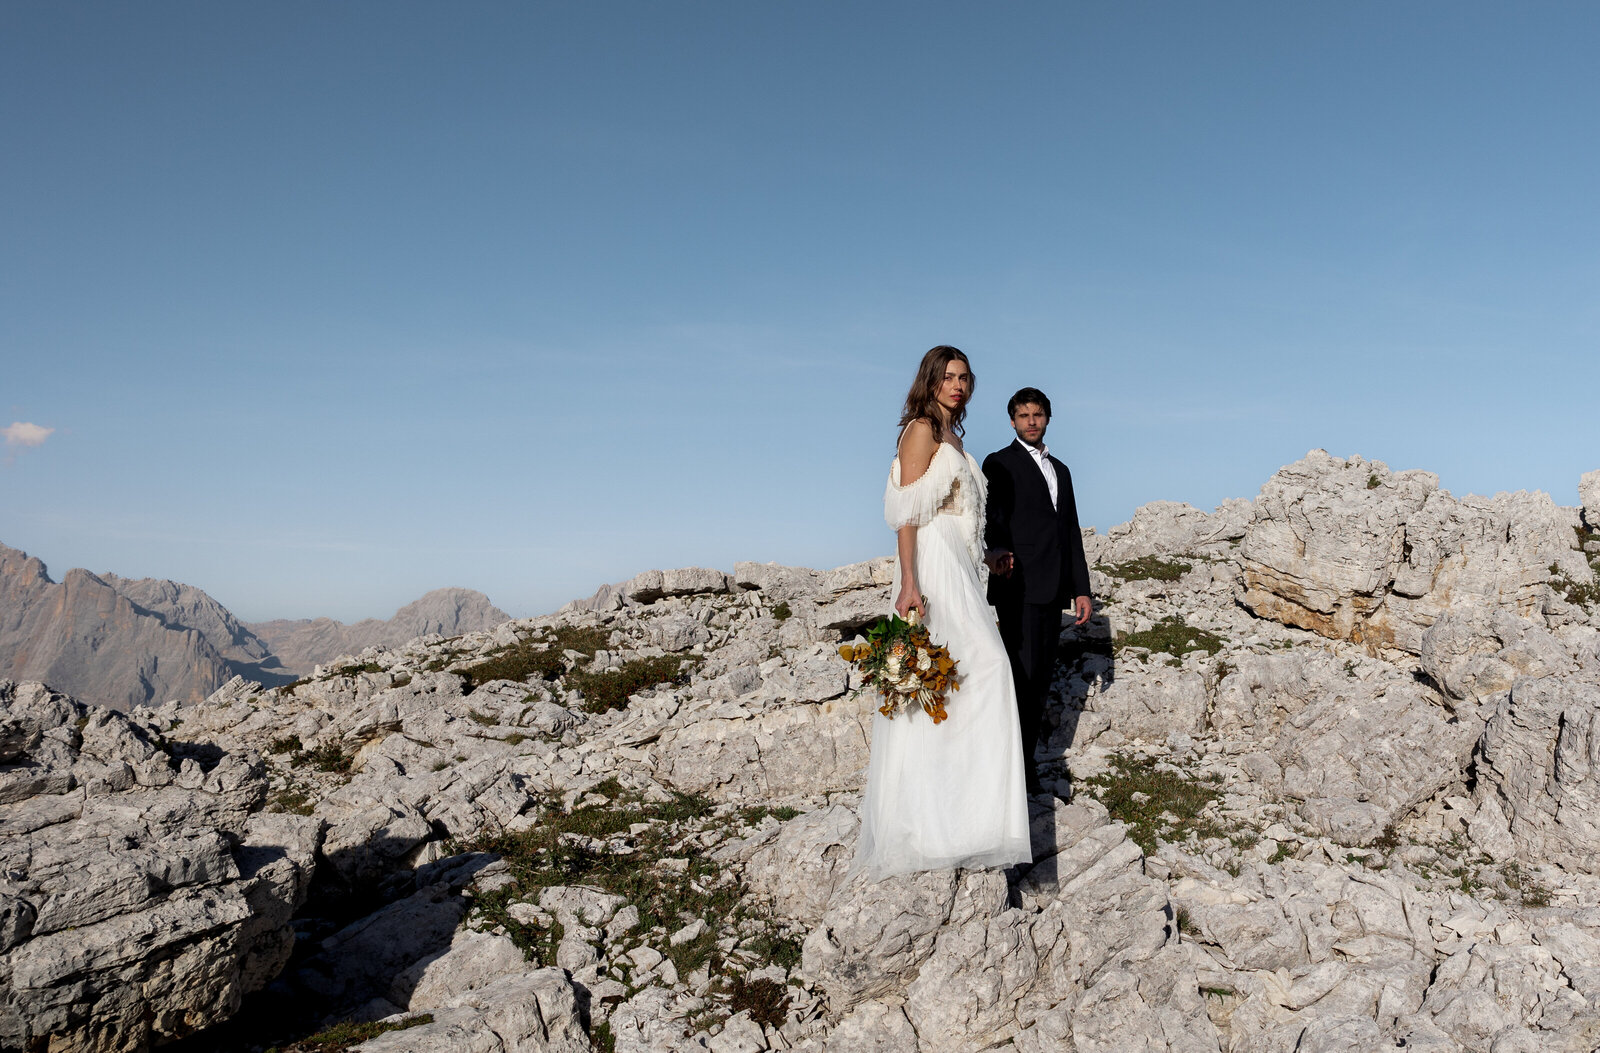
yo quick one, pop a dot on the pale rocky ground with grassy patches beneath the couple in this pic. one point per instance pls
(1326, 766)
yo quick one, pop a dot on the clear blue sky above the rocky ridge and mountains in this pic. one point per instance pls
(335, 303)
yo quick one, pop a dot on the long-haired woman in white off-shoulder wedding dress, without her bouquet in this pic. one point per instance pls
(951, 795)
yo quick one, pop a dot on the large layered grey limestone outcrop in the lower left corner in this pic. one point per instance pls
(140, 899)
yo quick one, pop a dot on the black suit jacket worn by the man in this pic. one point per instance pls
(1047, 543)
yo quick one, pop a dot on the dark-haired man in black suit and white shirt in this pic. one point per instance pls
(1036, 559)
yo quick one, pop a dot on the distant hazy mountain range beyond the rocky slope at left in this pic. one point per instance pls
(122, 643)
